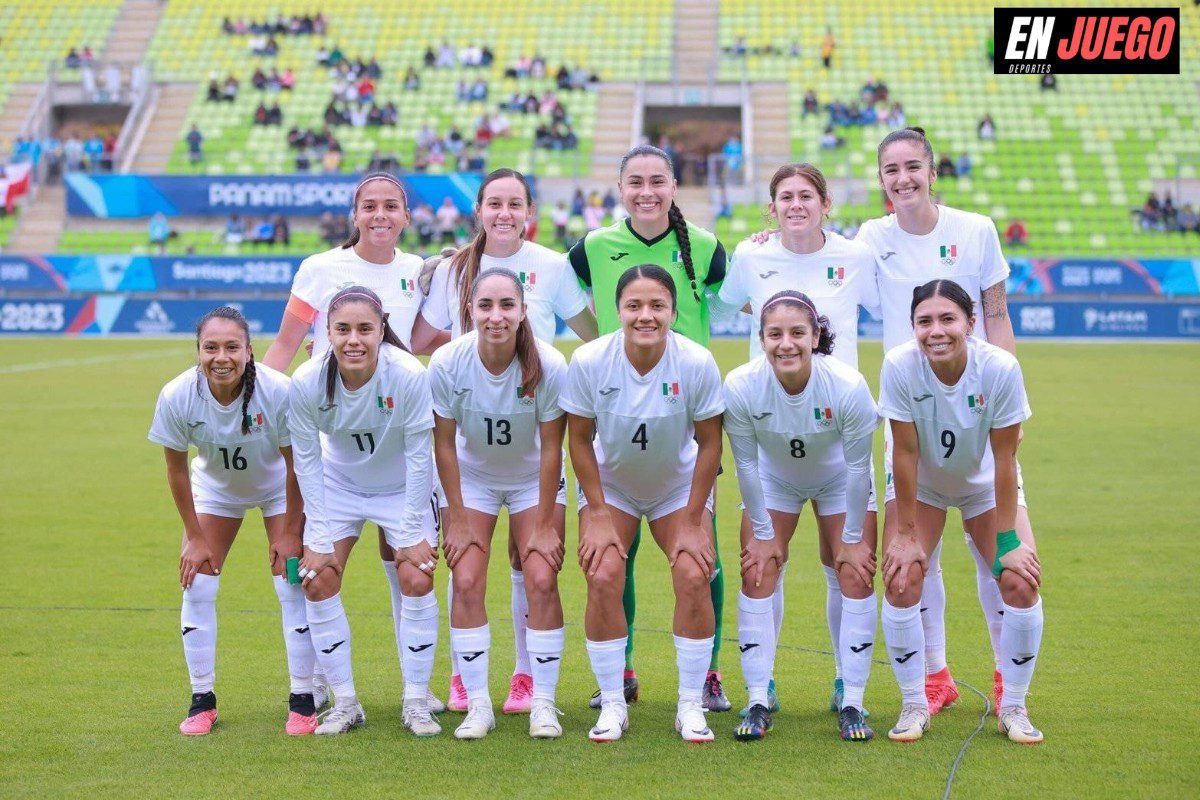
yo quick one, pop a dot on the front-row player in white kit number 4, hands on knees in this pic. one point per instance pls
(645, 424)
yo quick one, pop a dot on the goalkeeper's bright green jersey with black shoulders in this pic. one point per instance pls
(602, 257)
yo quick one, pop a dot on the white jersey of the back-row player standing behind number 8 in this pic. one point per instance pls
(839, 279)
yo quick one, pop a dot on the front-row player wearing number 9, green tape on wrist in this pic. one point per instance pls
(956, 406)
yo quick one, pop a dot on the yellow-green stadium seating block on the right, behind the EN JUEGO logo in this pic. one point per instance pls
(1073, 164)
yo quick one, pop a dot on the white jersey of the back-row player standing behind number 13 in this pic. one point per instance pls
(550, 285)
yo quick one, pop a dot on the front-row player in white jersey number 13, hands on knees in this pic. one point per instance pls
(499, 442)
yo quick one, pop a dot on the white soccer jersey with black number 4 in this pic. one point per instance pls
(645, 428)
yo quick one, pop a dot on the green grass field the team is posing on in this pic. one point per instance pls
(95, 685)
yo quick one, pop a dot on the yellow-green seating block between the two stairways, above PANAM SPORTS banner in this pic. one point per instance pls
(190, 46)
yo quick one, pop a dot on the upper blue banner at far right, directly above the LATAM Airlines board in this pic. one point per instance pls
(1095, 276)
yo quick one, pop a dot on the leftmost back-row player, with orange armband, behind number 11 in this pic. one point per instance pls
(369, 258)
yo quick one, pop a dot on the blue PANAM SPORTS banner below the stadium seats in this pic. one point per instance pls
(142, 196)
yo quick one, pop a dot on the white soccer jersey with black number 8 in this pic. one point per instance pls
(800, 436)
